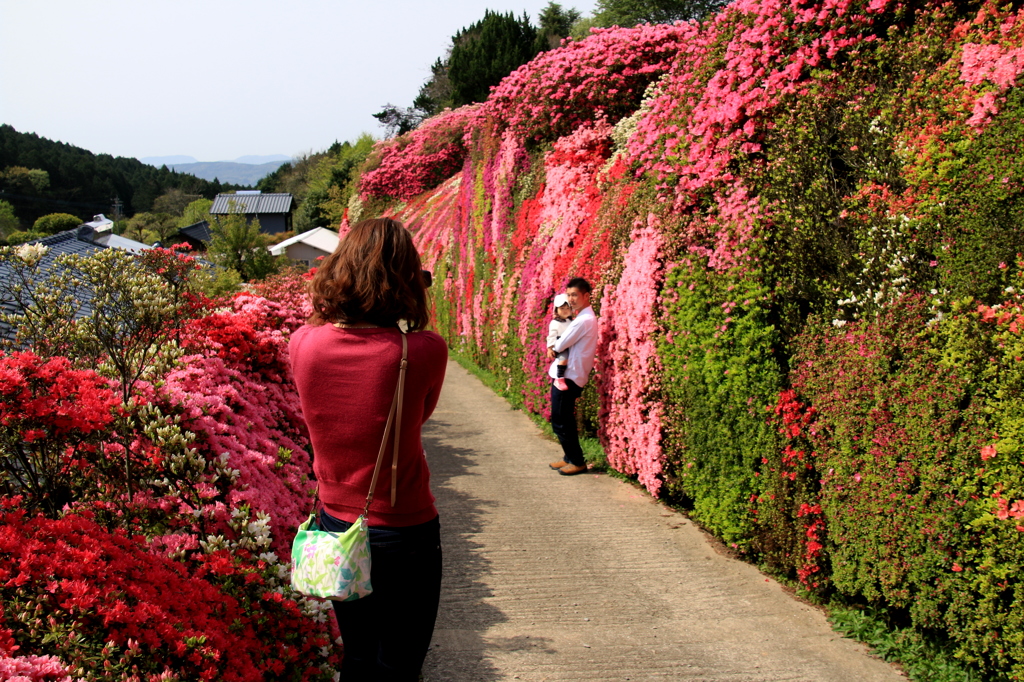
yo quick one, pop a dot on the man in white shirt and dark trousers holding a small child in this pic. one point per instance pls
(581, 340)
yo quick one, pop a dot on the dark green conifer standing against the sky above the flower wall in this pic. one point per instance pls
(487, 53)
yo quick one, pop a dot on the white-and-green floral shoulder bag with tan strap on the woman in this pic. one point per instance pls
(336, 566)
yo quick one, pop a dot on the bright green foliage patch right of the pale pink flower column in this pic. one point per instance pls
(720, 375)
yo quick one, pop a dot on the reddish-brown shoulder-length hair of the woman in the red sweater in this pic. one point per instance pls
(374, 277)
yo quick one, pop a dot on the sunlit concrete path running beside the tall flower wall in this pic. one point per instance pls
(586, 578)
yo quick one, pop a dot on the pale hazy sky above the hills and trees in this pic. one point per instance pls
(221, 79)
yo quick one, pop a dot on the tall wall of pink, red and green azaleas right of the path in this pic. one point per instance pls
(803, 221)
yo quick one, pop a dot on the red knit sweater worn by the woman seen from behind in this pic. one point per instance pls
(347, 380)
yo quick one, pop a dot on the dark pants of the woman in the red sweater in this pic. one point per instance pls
(388, 634)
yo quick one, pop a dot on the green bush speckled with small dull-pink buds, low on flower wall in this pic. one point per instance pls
(892, 442)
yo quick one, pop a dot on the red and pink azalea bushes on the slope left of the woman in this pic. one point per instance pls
(152, 478)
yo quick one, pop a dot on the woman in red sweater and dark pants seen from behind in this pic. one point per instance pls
(346, 362)
